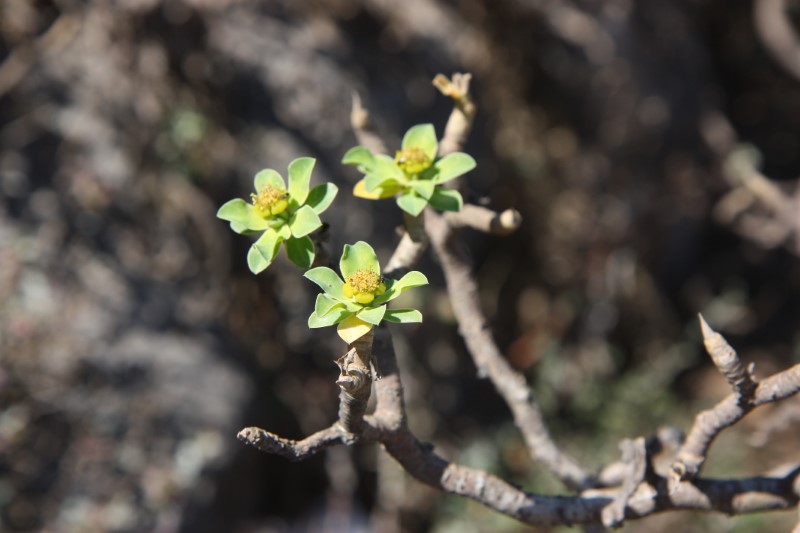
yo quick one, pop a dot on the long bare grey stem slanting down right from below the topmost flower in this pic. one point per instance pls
(463, 292)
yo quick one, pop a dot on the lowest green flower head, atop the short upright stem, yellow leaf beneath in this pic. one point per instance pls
(357, 303)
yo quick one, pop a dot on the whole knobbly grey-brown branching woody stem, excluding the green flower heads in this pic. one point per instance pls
(629, 489)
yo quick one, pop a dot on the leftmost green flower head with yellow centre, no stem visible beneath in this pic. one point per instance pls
(281, 214)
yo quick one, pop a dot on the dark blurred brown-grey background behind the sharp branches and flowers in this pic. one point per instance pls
(134, 342)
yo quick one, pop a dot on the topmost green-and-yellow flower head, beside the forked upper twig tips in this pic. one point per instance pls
(415, 175)
